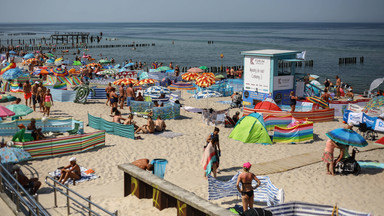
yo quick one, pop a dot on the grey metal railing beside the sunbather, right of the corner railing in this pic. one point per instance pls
(69, 197)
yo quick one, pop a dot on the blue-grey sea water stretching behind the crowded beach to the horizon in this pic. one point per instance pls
(186, 44)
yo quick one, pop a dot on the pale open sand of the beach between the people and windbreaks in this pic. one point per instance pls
(308, 183)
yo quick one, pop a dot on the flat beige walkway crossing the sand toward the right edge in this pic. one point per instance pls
(288, 163)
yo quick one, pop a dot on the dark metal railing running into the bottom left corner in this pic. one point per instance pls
(10, 184)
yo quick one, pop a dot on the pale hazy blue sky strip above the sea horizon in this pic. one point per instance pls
(43, 11)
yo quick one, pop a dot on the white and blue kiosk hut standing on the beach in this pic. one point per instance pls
(264, 78)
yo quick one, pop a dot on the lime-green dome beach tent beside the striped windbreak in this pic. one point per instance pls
(251, 129)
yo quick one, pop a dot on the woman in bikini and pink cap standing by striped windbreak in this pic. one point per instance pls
(247, 189)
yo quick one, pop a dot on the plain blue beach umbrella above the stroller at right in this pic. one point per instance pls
(347, 137)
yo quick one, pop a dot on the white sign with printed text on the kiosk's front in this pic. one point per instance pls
(257, 73)
